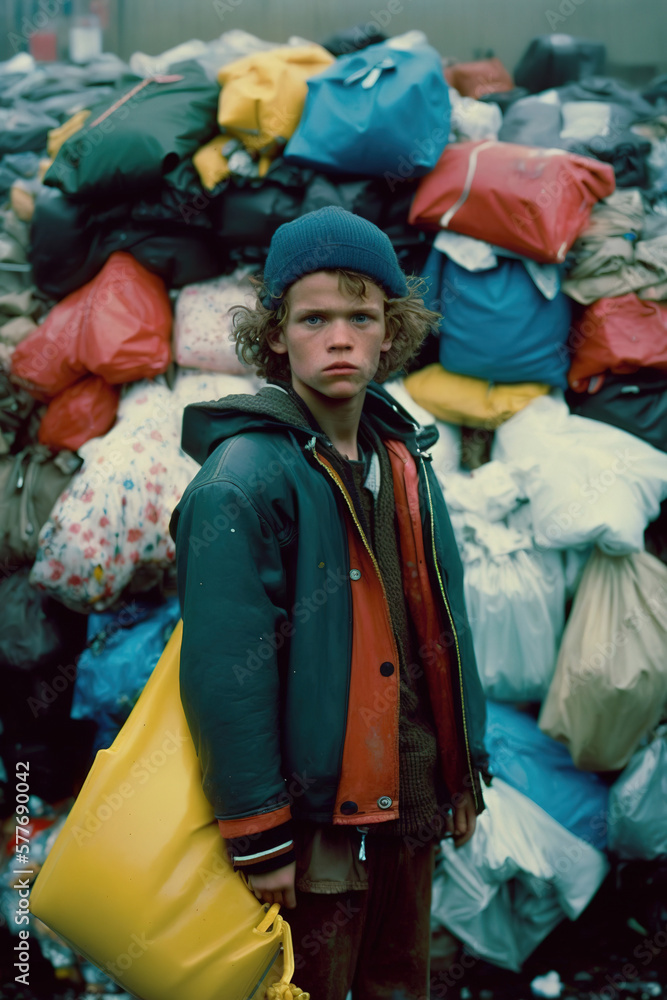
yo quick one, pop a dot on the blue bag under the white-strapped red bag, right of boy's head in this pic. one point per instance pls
(497, 325)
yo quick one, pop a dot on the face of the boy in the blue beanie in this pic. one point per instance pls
(333, 342)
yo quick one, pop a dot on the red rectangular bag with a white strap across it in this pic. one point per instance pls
(530, 200)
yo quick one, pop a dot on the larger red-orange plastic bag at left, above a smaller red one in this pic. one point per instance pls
(117, 326)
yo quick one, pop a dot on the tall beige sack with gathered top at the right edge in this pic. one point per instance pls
(610, 685)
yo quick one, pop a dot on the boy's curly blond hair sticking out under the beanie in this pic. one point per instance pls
(407, 318)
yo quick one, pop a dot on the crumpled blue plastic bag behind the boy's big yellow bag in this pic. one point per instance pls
(123, 650)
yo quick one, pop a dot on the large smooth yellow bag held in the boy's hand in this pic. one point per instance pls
(138, 880)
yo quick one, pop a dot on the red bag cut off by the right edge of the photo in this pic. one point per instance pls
(619, 335)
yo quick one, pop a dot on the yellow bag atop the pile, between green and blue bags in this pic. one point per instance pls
(263, 94)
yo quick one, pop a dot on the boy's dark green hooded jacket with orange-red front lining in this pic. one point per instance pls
(346, 692)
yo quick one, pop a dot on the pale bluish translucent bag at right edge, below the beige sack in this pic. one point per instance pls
(637, 819)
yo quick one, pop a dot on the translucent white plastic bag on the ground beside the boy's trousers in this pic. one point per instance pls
(521, 873)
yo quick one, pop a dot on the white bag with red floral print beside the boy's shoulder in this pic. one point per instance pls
(112, 522)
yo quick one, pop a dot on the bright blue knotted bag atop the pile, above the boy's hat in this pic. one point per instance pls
(383, 111)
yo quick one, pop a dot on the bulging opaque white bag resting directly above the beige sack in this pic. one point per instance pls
(588, 483)
